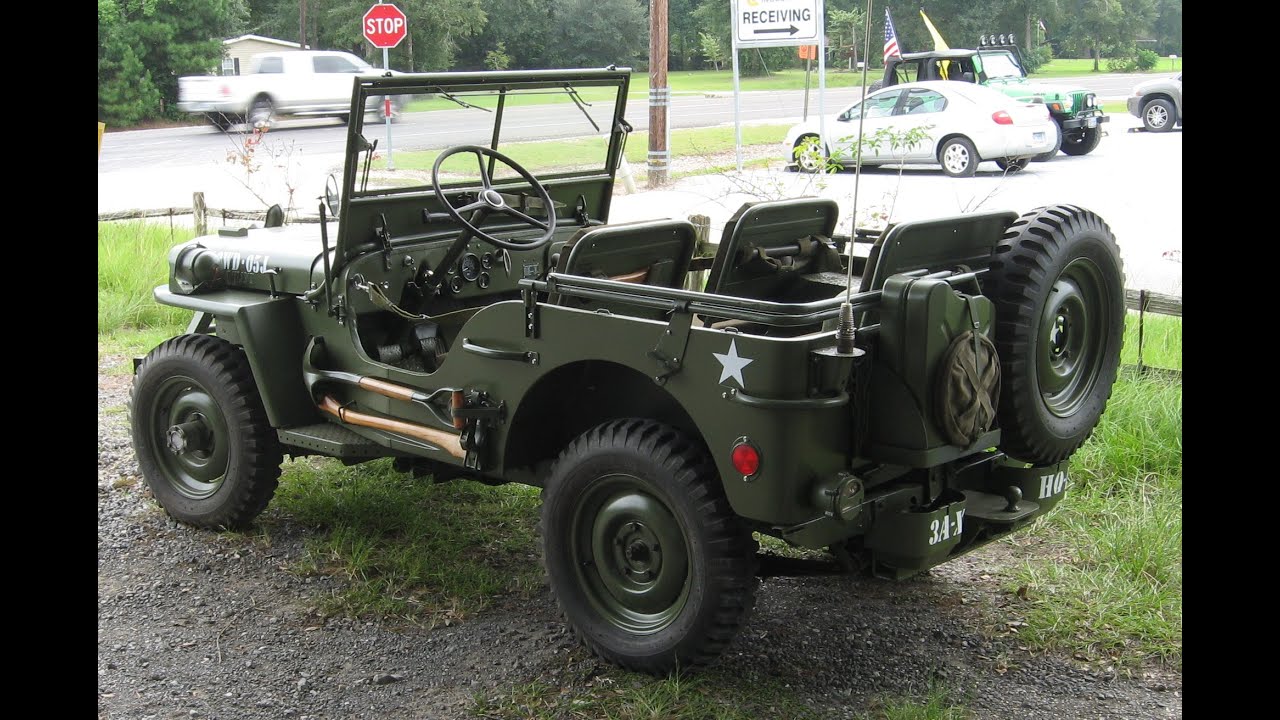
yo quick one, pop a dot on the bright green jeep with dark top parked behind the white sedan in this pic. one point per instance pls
(998, 63)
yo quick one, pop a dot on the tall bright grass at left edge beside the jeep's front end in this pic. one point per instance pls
(132, 261)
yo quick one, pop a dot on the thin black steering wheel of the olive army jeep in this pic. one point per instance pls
(492, 202)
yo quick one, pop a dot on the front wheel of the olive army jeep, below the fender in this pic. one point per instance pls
(202, 435)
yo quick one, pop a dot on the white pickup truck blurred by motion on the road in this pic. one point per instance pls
(316, 84)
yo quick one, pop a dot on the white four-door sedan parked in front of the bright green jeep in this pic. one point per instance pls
(948, 124)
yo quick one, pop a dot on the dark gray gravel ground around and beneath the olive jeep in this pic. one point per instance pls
(199, 625)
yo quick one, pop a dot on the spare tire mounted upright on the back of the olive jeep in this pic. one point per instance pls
(1059, 291)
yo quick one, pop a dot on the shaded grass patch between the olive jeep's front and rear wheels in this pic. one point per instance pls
(406, 548)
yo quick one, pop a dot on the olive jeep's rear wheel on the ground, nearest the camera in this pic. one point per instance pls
(650, 566)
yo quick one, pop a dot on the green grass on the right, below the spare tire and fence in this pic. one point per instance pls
(1114, 589)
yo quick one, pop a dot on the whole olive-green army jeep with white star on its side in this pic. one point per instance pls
(898, 398)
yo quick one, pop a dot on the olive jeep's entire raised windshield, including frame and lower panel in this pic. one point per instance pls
(566, 129)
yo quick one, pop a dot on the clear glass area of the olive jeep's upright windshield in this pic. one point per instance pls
(551, 129)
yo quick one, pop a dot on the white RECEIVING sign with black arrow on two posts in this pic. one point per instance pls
(778, 24)
